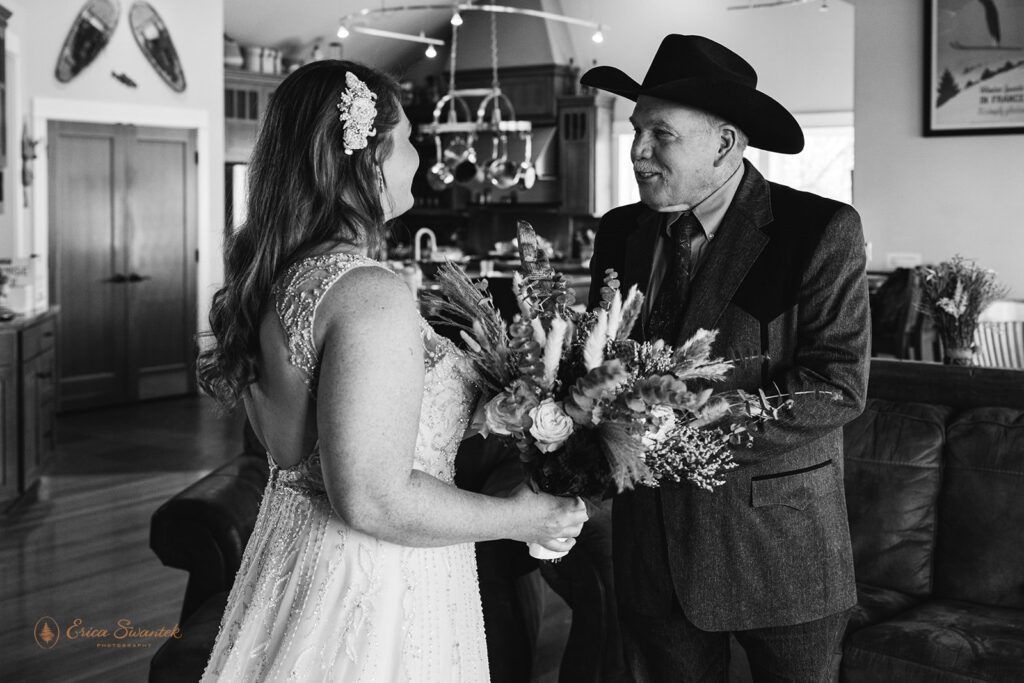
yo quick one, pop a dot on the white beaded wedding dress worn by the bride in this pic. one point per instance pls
(315, 600)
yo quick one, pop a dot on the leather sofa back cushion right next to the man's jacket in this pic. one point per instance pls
(893, 463)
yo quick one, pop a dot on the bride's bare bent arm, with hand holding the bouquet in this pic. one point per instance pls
(370, 392)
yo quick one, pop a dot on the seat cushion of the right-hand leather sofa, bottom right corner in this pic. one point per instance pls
(942, 641)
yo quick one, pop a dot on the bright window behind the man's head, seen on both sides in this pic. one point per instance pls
(825, 167)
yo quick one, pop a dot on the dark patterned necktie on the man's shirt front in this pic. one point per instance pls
(666, 314)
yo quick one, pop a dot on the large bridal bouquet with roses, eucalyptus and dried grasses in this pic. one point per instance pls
(591, 411)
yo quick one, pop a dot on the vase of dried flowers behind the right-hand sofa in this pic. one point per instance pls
(954, 294)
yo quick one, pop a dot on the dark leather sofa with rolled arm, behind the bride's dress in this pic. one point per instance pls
(204, 530)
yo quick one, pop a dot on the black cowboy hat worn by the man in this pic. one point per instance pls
(700, 73)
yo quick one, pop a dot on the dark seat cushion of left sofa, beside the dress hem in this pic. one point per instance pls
(185, 659)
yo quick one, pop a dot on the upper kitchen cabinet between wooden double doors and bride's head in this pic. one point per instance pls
(246, 98)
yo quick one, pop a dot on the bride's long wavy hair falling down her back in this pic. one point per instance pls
(305, 192)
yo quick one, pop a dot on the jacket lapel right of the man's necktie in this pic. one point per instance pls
(738, 244)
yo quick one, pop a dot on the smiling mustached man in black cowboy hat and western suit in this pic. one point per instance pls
(781, 274)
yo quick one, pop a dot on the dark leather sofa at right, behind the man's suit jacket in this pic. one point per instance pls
(935, 495)
